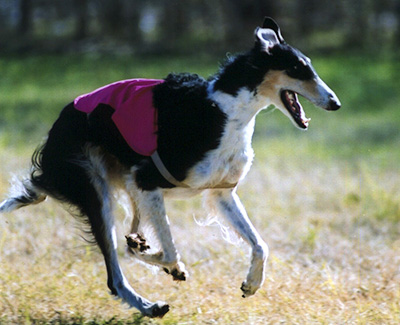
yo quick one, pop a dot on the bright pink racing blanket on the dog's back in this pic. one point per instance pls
(134, 116)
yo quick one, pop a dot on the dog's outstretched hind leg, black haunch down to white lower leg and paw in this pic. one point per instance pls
(69, 170)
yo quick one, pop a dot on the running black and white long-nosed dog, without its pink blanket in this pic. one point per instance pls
(204, 135)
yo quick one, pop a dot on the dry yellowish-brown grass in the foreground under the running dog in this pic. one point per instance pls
(332, 227)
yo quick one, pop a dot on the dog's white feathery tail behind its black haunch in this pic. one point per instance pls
(23, 193)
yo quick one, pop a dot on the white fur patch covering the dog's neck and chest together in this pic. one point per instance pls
(231, 161)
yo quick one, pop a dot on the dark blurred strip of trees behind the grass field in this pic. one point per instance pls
(193, 26)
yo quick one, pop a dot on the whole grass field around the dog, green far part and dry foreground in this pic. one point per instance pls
(327, 201)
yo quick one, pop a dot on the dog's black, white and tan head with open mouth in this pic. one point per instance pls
(289, 74)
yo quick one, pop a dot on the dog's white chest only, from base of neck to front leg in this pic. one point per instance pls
(228, 163)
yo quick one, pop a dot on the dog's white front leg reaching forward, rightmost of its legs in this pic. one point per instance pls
(227, 204)
